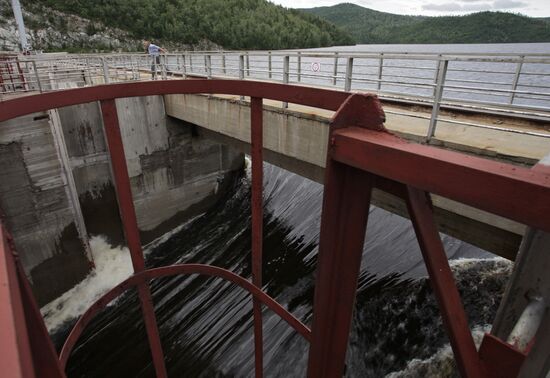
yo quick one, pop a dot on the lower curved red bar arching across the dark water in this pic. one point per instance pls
(167, 271)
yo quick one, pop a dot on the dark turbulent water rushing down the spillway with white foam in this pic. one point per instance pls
(206, 323)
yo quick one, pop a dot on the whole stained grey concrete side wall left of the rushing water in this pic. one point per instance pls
(175, 173)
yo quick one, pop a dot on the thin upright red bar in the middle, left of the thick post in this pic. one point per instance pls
(256, 138)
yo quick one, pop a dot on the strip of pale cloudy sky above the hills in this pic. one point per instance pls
(533, 8)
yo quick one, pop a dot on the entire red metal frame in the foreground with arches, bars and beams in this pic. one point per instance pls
(362, 156)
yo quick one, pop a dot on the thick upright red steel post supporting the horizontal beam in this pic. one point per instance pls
(346, 203)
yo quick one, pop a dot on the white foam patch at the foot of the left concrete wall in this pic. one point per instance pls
(112, 266)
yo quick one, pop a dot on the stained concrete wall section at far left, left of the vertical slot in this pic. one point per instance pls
(36, 206)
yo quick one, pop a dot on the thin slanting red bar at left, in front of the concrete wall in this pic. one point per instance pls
(129, 222)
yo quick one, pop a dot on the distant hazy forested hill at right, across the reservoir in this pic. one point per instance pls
(369, 26)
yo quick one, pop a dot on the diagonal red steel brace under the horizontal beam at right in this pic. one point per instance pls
(442, 282)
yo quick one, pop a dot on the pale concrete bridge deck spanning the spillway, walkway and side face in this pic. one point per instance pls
(295, 139)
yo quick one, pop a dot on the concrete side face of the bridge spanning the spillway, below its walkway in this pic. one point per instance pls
(296, 139)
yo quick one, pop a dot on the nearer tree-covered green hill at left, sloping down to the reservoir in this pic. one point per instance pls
(233, 24)
